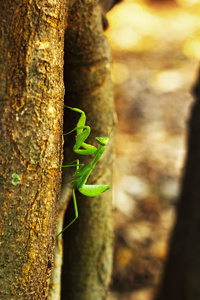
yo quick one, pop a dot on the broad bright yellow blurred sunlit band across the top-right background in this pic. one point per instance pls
(137, 27)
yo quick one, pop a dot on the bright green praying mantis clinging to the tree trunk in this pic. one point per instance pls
(82, 173)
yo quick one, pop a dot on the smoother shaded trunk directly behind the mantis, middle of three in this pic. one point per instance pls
(88, 242)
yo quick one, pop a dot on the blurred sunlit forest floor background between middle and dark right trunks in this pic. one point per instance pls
(155, 50)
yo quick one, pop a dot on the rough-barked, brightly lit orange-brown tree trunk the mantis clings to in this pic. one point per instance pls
(31, 95)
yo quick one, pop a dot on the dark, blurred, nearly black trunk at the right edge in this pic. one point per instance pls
(182, 273)
